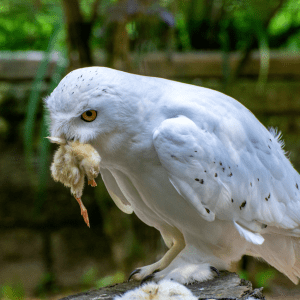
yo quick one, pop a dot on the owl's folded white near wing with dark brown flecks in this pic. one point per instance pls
(223, 177)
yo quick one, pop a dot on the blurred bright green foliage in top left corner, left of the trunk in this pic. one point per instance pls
(26, 25)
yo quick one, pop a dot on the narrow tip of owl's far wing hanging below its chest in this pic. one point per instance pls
(115, 192)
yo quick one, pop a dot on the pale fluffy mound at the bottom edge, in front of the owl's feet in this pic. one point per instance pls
(163, 290)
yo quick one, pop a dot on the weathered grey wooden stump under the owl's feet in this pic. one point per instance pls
(226, 287)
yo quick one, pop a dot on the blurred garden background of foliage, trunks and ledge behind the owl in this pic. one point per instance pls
(248, 49)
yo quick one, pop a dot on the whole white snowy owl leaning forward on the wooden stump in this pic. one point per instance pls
(189, 161)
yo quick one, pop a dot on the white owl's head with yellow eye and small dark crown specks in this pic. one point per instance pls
(90, 102)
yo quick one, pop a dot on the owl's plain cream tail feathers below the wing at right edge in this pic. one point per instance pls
(281, 252)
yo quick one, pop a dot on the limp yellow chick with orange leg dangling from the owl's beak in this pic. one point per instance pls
(72, 162)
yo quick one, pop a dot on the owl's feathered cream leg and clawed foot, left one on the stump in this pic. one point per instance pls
(147, 271)
